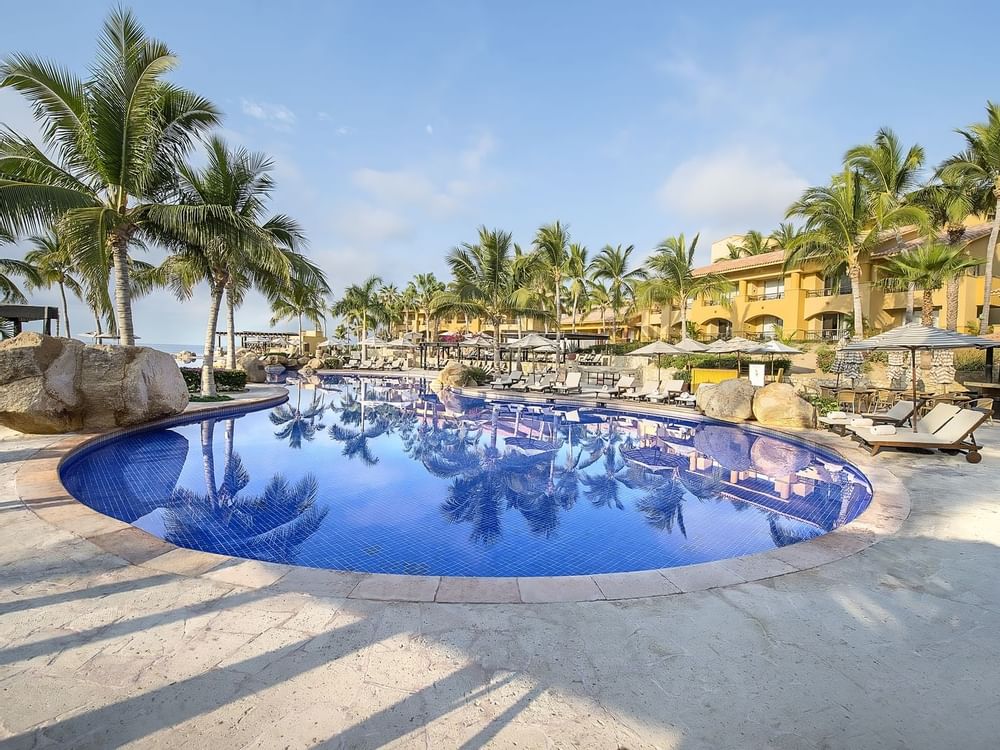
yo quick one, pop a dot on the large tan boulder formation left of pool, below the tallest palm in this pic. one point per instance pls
(52, 385)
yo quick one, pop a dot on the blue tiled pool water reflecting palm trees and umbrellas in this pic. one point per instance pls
(380, 475)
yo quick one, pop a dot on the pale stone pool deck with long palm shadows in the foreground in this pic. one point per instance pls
(894, 646)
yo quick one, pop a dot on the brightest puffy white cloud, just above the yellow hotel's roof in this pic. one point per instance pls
(733, 189)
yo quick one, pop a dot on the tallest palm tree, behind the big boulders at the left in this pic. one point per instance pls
(115, 139)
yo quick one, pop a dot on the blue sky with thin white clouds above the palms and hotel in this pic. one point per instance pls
(399, 127)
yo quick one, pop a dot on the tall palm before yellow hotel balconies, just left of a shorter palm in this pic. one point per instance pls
(843, 224)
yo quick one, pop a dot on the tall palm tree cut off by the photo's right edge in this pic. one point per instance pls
(979, 166)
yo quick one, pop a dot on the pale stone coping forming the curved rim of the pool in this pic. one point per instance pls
(40, 489)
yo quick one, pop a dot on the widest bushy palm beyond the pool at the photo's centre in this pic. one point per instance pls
(486, 283)
